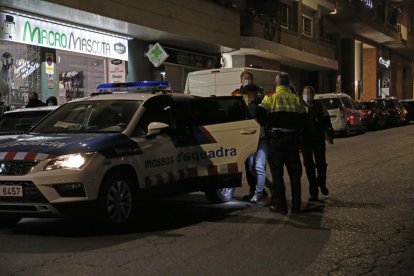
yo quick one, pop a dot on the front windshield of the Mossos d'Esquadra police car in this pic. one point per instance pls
(90, 116)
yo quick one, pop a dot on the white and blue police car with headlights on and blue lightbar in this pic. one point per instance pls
(103, 154)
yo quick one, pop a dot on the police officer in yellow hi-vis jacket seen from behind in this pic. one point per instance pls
(283, 112)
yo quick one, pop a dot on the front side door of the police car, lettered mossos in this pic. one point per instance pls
(157, 166)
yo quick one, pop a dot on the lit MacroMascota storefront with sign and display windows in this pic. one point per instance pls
(55, 58)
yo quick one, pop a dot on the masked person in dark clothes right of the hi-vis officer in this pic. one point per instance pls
(318, 127)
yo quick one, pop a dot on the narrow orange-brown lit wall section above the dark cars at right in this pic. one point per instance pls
(369, 73)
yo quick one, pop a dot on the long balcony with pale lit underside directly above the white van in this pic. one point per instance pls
(266, 37)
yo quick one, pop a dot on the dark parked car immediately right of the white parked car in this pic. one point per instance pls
(374, 116)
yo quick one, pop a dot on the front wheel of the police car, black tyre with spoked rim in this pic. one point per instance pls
(117, 200)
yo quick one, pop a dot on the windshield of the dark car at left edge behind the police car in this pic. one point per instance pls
(20, 122)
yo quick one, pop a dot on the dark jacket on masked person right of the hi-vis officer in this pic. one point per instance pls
(318, 124)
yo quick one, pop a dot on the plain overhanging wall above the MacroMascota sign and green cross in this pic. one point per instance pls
(197, 19)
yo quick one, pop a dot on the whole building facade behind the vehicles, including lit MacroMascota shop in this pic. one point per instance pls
(65, 48)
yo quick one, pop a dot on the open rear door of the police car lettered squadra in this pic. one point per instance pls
(225, 136)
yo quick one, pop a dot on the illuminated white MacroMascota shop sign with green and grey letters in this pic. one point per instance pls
(54, 35)
